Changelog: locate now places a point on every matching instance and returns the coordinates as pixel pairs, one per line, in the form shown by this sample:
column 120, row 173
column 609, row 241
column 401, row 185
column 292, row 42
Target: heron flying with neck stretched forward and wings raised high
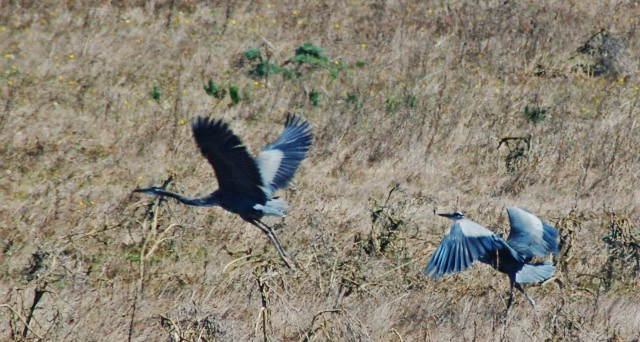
column 246, row 185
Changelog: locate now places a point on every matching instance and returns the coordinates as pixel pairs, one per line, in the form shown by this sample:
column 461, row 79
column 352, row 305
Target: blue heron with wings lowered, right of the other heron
column 468, row 241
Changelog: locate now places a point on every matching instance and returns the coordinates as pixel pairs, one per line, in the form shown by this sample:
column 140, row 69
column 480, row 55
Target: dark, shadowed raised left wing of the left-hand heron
column 235, row 169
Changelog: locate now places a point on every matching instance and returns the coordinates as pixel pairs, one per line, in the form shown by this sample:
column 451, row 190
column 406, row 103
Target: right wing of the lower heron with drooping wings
column 531, row 236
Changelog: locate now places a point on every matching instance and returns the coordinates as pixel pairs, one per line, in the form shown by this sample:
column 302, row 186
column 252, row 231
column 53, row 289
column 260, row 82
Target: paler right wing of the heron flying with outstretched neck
column 279, row 160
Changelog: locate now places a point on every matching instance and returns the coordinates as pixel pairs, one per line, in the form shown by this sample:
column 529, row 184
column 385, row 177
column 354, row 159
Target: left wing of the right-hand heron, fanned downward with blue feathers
column 466, row 243
